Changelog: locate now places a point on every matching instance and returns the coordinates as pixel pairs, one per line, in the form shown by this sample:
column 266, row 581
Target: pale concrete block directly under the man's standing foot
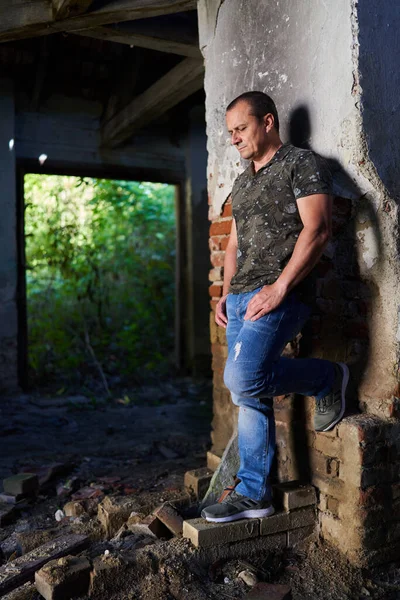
column 202, row 533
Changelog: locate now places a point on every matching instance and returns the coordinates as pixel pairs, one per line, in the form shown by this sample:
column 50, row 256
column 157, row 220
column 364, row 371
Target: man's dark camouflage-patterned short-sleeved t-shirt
column 267, row 218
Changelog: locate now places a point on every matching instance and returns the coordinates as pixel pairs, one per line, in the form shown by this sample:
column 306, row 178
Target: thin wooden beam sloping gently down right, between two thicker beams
column 112, row 34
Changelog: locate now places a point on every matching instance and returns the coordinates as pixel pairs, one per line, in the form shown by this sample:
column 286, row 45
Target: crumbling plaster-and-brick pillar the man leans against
column 336, row 88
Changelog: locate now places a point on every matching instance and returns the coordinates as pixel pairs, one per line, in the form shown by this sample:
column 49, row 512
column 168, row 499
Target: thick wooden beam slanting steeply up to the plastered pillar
column 179, row 83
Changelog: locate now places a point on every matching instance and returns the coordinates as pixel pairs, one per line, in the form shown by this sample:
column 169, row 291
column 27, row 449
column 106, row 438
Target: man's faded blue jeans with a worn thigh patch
column 255, row 371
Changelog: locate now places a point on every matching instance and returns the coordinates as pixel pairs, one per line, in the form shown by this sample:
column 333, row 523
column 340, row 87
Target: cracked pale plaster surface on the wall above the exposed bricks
column 329, row 59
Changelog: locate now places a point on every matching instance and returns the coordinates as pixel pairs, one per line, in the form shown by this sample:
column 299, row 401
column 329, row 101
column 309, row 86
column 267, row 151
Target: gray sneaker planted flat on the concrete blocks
column 234, row 507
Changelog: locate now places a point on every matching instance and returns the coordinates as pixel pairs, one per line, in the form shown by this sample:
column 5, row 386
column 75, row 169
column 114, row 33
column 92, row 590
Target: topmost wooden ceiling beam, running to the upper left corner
column 20, row 19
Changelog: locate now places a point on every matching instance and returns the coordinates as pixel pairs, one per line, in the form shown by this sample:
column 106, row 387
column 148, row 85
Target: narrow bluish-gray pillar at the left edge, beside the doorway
column 8, row 242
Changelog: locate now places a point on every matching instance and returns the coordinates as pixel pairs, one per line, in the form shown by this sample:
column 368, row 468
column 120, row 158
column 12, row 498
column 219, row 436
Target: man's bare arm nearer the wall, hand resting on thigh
column 316, row 215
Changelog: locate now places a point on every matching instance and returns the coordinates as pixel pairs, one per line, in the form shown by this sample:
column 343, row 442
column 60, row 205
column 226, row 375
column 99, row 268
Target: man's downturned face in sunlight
column 248, row 134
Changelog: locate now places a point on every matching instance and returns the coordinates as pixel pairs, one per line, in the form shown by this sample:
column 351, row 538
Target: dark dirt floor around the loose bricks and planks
column 138, row 447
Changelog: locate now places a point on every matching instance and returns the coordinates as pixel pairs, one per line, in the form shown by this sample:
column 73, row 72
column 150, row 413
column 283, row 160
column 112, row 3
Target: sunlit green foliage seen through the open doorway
column 100, row 276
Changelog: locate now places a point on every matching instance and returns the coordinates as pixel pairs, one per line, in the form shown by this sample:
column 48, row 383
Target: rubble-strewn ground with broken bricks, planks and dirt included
column 114, row 474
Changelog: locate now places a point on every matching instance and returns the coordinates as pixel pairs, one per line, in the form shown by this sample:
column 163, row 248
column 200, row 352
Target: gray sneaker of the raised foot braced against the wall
column 330, row 409
